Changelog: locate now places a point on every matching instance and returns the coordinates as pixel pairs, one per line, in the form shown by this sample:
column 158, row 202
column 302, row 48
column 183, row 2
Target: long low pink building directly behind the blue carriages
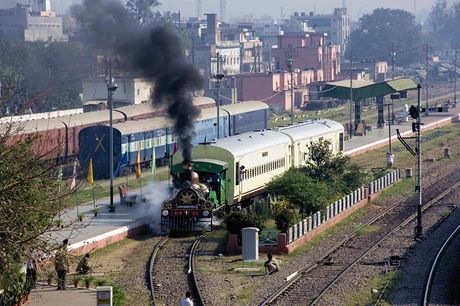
column 274, row 88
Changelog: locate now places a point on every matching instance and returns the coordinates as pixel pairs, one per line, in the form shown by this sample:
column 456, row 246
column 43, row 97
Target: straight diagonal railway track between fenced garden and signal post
column 311, row 282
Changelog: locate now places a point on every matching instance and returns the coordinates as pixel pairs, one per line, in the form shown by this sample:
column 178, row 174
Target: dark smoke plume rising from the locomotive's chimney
column 155, row 53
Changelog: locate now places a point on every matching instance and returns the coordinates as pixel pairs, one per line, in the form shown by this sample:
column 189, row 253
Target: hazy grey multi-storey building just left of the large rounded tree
column 336, row 26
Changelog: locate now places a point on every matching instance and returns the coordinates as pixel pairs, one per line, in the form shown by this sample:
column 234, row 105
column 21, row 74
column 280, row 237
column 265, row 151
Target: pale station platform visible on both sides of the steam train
column 108, row 227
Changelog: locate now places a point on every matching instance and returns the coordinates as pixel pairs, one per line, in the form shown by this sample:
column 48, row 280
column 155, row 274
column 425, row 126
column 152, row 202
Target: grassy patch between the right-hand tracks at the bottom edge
column 365, row 295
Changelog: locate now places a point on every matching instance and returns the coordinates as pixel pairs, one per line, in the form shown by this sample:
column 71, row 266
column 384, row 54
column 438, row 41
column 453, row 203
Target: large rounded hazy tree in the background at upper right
column 384, row 29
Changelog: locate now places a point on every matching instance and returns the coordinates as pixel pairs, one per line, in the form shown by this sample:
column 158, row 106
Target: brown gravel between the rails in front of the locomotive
column 170, row 271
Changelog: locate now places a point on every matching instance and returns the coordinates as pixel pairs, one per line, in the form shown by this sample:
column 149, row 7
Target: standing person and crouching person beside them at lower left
column 61, row 265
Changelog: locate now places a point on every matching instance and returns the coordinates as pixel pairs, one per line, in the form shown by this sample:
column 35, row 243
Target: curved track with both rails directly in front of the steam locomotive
column 171, row 270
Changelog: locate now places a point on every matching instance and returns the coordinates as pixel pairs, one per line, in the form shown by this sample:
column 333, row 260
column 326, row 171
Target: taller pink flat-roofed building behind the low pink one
column 309, row 52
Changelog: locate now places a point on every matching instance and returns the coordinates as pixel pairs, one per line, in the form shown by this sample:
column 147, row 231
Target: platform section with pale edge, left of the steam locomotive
column 94, row 232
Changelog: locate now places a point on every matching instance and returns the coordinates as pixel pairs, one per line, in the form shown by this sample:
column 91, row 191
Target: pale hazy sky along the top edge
column 257, row 8
